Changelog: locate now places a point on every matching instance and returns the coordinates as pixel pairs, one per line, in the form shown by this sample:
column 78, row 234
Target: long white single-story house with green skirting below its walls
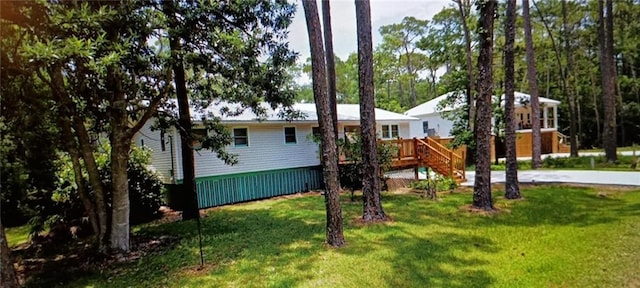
column 275, row 156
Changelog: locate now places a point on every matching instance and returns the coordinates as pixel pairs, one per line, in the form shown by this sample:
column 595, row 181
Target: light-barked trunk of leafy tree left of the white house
column 120, row 145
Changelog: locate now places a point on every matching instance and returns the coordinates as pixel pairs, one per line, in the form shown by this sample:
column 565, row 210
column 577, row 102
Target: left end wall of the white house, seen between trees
column 160, row 160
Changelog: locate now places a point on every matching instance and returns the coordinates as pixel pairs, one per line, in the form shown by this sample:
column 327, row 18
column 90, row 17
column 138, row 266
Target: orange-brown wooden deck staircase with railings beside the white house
column 427, row 152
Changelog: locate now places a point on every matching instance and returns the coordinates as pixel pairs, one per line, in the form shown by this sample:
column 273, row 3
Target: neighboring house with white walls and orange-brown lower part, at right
column 434, row 124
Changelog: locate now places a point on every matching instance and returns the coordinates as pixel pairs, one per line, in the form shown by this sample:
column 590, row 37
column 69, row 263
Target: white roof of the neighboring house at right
column 432, row 106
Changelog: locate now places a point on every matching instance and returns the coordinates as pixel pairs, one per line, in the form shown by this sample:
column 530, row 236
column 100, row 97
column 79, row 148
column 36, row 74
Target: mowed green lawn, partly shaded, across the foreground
column 557, row 237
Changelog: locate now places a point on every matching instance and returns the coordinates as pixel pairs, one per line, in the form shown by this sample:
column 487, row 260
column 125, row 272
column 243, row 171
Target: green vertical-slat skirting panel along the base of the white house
column 228, row 189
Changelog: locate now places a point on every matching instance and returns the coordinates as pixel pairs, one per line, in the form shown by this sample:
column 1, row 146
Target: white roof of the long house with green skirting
column 346, row 112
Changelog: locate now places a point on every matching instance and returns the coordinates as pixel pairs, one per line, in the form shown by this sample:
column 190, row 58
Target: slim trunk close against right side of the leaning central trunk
column 331, row 63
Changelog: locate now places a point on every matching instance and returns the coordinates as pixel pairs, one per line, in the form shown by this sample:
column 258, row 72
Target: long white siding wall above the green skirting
column 266, row 151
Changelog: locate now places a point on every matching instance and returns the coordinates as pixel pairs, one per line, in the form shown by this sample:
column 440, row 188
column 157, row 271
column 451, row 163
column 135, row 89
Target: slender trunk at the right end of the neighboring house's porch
column 573, row 113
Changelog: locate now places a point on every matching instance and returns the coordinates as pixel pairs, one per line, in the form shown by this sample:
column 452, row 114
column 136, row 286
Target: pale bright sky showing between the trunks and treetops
column 383, row 12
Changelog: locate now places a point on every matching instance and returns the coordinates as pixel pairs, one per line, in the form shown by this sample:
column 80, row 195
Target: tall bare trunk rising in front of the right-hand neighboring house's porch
column 536, row 160
